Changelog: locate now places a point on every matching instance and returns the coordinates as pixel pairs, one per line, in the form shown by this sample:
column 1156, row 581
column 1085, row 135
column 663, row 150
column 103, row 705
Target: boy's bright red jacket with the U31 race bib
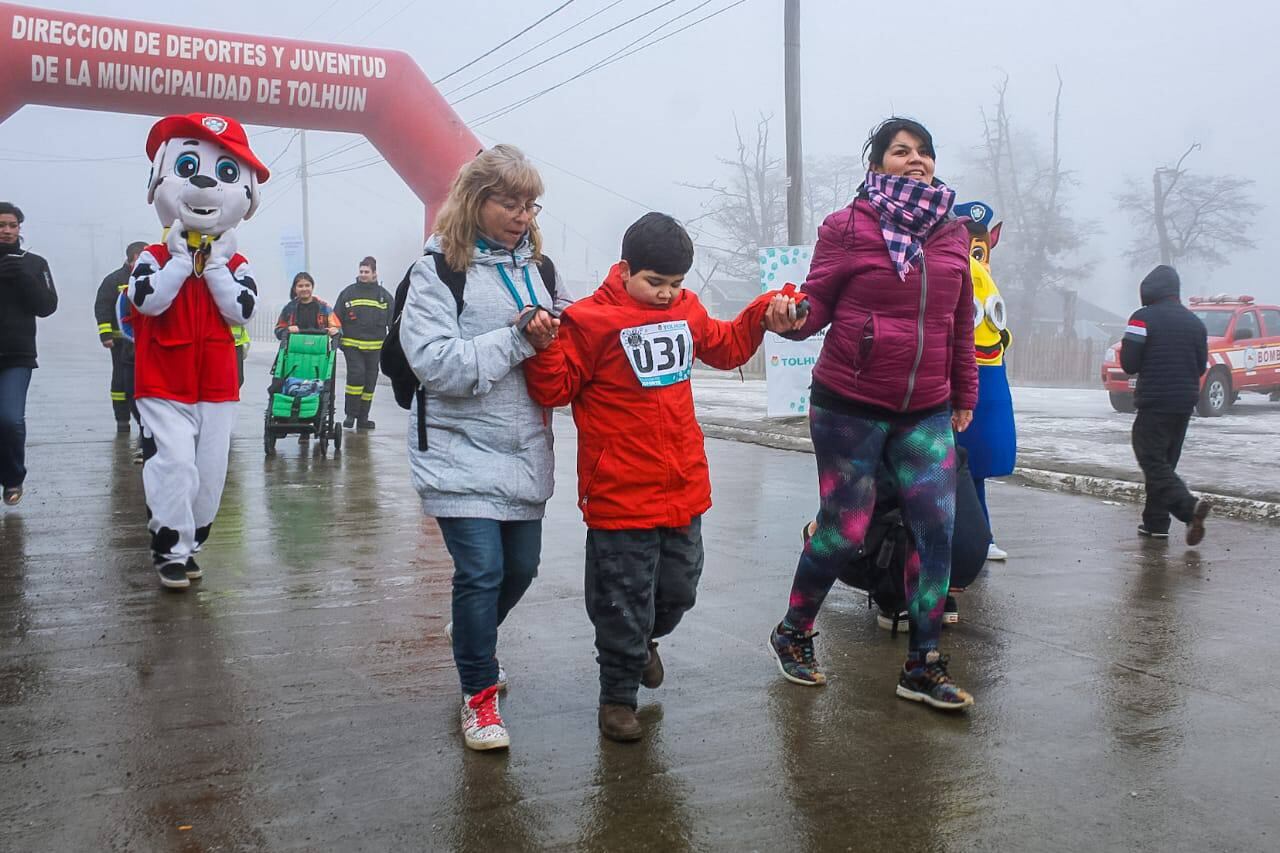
column 624, row 366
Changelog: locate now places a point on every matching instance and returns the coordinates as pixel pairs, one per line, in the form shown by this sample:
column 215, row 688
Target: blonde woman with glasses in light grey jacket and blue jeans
column 488, row 468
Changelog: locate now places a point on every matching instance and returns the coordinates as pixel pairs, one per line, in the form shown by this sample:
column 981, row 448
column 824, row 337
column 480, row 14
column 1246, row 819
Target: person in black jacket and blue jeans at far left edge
column 26, row 293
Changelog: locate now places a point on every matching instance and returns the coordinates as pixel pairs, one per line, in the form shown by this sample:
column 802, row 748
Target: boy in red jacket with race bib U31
column 623, row 358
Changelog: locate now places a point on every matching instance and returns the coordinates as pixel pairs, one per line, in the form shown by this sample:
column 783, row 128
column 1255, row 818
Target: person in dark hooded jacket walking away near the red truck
column 1167, row 346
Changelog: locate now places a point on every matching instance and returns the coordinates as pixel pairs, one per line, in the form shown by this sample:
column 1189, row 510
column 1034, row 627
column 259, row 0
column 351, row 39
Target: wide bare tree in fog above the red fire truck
column 1190, row 218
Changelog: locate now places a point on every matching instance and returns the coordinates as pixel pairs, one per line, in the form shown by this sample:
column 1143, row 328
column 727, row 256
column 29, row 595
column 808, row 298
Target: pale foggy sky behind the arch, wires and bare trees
column 1142, row 83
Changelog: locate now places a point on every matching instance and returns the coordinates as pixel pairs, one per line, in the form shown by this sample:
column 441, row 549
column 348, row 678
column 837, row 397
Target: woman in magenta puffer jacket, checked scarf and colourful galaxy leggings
column 897, row 375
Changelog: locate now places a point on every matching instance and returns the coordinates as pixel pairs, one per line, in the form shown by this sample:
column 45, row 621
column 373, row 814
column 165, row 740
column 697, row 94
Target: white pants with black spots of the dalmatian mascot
column 188, row 448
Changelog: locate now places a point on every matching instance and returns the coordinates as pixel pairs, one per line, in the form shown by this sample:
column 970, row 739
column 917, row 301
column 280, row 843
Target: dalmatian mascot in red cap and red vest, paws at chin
column 185, row 294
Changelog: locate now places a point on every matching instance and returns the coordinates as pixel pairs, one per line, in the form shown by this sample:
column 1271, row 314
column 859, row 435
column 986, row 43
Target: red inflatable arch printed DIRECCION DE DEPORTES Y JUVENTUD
column 88, row 62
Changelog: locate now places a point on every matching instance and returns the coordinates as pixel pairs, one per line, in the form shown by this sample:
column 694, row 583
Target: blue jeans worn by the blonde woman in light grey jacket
column 493, row 565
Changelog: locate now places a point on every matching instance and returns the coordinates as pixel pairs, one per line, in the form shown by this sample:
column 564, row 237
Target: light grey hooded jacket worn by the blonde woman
column 490, row 446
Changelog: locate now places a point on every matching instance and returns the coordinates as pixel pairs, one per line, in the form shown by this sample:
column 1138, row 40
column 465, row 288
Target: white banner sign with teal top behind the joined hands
column 788, row 364
